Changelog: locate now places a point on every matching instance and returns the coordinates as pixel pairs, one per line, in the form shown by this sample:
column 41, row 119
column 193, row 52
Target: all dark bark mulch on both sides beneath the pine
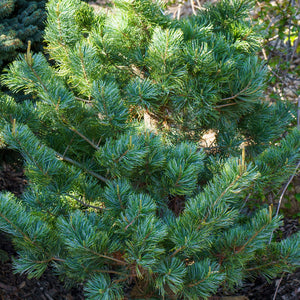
column 49, row 287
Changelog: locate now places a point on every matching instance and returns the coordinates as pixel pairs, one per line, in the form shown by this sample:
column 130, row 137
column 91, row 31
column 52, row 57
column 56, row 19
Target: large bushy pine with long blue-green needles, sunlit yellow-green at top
column 136, row 210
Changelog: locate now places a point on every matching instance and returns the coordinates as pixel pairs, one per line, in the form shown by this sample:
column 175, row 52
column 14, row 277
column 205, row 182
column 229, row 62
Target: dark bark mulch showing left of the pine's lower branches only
column 16, row 286
